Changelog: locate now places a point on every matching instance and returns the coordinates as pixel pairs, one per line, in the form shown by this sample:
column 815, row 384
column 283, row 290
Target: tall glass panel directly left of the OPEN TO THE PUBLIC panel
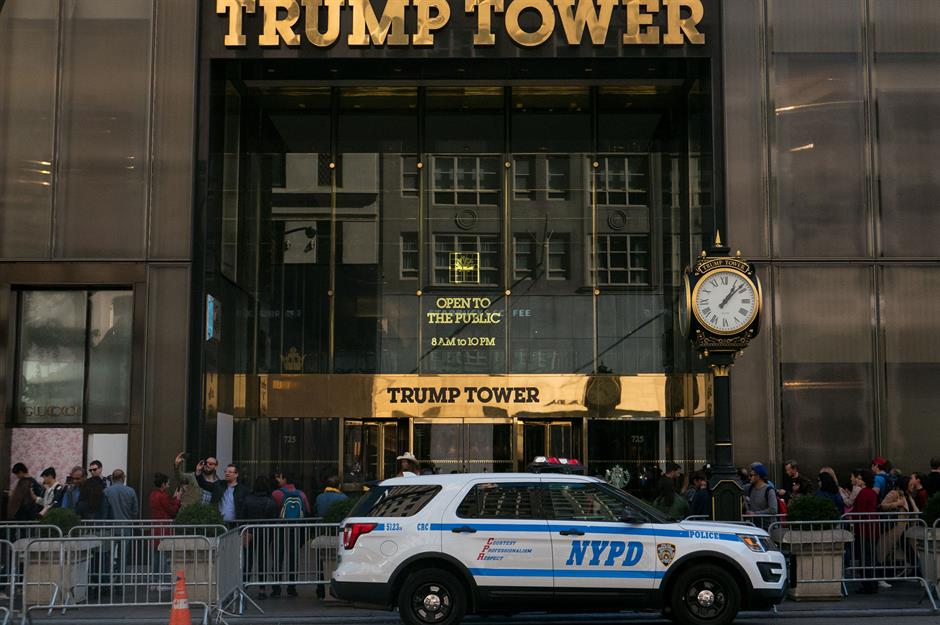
column 377, row 231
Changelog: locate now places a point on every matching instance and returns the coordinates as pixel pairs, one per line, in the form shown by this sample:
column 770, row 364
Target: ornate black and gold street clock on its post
column 720, row 314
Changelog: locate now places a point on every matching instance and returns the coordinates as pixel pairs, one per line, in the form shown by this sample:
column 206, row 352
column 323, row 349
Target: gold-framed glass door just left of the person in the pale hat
column 369, row 451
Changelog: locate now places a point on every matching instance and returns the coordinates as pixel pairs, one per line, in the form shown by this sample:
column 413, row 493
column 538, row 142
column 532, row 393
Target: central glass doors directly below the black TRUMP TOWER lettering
column 464, row 445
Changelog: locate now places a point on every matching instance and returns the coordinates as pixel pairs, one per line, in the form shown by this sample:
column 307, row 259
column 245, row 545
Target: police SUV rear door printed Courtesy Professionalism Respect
column 496, row 530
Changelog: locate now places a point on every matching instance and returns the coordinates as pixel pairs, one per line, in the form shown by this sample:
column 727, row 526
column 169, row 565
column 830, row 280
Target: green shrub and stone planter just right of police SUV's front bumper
column 816, row 549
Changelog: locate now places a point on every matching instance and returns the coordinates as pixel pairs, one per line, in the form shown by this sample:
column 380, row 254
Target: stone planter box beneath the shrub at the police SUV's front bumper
column 815, row 555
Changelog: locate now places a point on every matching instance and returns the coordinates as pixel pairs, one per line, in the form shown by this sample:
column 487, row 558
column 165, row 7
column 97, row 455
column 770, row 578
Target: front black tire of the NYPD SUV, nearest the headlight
column 705, row 595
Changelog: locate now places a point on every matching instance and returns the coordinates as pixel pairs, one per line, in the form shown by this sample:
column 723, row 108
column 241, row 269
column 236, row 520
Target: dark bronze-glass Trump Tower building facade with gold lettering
column 313, row 235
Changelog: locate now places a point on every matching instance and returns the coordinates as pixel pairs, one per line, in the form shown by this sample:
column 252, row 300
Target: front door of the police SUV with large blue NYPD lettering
column 596, row 554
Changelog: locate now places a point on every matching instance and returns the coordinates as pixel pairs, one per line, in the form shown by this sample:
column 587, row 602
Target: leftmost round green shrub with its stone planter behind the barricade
column 49, row 563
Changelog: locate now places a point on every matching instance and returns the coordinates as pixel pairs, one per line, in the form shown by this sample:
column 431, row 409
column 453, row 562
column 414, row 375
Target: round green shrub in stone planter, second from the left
column 194, row 554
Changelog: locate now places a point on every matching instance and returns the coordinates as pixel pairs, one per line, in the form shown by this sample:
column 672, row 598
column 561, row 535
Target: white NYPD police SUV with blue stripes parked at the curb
column 440, row 546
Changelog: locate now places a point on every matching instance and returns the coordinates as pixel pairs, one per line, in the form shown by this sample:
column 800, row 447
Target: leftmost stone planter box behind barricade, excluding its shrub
column 47, row 564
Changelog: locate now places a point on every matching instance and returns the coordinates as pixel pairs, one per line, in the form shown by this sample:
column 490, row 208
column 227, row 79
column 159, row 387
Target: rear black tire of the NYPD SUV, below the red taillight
column 432, row 597
